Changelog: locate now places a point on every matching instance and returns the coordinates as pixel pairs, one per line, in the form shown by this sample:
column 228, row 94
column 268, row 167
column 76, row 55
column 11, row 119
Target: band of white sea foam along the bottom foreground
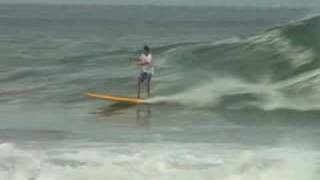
column 156, row 161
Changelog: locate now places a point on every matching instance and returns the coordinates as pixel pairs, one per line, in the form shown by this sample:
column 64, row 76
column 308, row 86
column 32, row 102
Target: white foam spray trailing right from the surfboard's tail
column 269, row 95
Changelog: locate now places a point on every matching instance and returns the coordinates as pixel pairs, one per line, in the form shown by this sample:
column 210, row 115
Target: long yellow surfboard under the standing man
column 128, row 100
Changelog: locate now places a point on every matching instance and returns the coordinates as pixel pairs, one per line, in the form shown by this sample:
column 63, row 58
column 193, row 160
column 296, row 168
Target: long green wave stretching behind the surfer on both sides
column 274, row 69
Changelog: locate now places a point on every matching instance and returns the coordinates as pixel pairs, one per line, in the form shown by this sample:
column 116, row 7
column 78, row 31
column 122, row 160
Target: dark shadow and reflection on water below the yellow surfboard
column 122, row 113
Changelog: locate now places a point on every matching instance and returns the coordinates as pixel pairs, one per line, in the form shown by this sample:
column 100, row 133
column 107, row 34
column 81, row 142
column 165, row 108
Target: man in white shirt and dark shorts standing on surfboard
column 145, row 63
